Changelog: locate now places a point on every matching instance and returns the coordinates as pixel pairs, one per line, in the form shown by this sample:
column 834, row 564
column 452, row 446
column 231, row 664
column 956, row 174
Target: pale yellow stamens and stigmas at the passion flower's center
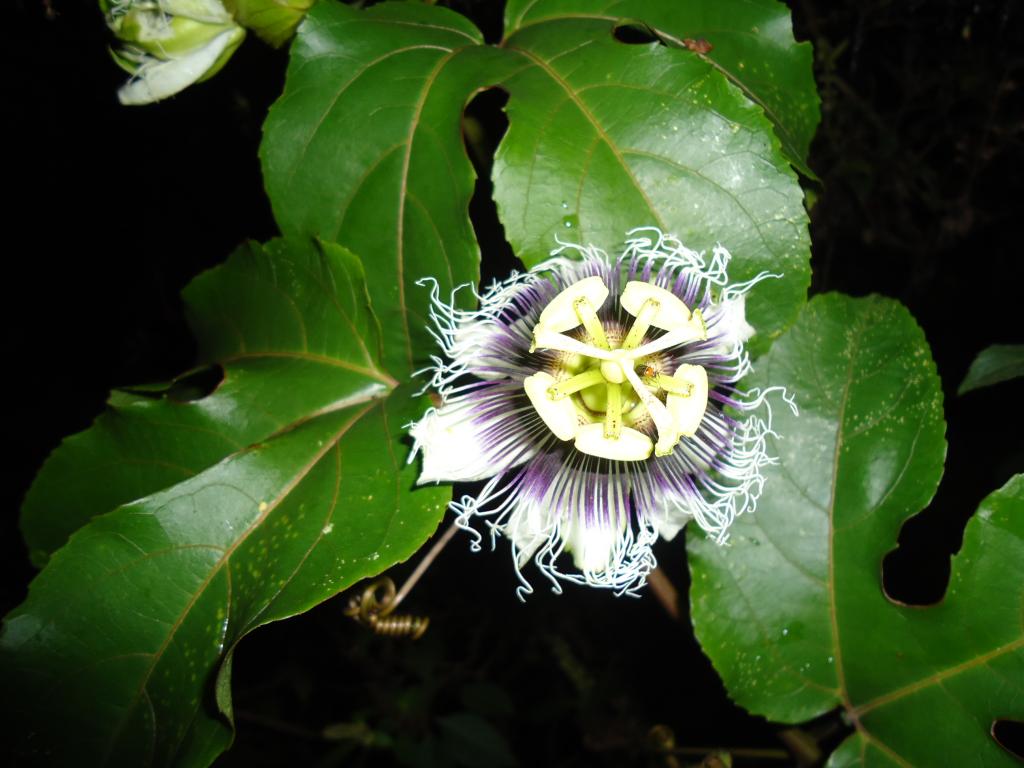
column 607, row 383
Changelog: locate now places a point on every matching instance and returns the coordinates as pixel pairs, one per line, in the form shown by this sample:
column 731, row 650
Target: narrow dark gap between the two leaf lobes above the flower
column 484, row 125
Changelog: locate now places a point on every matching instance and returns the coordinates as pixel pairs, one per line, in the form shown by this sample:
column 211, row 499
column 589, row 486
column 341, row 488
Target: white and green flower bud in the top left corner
column 167, row 46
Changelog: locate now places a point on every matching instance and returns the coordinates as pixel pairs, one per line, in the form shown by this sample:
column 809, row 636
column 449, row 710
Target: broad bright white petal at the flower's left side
column 452, row 449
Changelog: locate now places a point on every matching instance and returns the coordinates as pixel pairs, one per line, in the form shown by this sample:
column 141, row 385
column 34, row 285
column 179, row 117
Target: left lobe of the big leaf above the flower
column 365, row 148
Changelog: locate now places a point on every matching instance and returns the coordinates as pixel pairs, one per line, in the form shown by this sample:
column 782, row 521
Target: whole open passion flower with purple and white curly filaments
column 602, row 398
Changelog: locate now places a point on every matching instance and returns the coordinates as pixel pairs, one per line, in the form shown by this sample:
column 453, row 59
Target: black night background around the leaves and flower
column 921, row 156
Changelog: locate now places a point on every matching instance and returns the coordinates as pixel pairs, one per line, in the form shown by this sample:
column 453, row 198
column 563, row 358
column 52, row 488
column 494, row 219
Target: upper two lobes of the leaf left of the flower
column 290, row 327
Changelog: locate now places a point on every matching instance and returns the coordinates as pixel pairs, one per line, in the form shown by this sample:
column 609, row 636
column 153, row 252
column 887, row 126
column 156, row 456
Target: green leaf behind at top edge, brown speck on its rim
column 751, row 41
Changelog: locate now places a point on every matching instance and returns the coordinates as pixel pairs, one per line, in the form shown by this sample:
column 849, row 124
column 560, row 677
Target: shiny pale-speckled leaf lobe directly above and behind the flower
column 605, row 138
